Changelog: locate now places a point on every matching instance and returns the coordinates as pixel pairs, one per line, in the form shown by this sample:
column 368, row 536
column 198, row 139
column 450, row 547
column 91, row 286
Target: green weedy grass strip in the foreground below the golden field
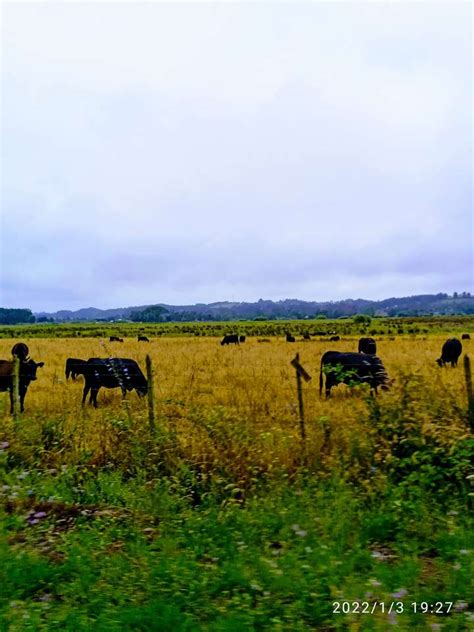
column 95, row 551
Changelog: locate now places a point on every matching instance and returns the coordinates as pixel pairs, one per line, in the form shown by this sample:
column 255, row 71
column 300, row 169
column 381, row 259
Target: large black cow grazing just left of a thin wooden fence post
column 112, row 373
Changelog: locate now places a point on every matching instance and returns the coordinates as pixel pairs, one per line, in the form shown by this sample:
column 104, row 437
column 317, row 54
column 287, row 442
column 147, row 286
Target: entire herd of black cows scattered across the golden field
column 364, row 367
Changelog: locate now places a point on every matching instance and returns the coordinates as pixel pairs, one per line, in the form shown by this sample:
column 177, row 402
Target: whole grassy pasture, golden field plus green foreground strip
column 222, row 520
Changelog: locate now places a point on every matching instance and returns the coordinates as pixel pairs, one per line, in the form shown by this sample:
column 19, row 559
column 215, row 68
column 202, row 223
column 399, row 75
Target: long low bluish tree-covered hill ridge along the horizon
column 420, row 305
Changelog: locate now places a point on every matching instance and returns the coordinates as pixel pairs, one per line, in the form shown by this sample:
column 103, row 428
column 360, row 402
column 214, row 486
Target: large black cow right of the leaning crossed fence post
column 350, row 368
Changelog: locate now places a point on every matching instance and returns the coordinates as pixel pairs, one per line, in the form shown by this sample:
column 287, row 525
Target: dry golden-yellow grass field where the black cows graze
column 232, row 407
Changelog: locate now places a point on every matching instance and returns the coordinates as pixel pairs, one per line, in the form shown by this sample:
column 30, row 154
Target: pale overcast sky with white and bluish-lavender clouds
column 182, row 153
